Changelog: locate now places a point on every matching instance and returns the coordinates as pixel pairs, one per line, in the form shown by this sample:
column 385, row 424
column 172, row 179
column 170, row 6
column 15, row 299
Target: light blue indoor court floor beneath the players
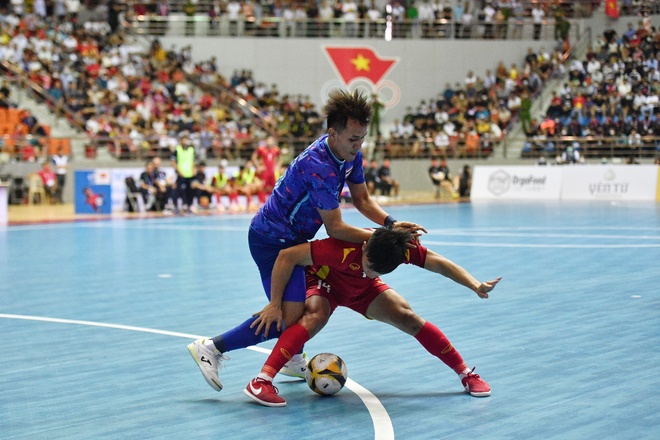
column 95, row 318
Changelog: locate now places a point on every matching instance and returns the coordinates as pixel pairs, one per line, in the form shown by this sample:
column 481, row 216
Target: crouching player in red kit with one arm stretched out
column 341, row 273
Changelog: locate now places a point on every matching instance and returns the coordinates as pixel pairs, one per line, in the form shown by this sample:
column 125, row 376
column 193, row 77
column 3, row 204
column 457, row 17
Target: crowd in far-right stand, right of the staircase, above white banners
column 611, row 96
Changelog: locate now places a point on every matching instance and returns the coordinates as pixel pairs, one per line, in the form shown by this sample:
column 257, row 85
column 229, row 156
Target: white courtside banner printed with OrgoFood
column 516, row 183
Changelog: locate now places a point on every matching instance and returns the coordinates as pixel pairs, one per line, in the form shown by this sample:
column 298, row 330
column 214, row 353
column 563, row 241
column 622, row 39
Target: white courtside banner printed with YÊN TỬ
column 610, row 182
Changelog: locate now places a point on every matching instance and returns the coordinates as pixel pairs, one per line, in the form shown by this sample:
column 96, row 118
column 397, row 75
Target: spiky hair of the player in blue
column 342, row 106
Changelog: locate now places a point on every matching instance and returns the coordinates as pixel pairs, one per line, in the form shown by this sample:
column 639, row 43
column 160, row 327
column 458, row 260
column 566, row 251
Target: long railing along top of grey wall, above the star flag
column 201, row 24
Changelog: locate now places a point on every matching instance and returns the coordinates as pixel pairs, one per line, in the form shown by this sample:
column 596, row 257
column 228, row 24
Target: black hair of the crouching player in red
column 387, row 248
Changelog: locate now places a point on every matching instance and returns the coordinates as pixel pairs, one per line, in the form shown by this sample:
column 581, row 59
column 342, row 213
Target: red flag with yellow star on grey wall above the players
column 359, row 62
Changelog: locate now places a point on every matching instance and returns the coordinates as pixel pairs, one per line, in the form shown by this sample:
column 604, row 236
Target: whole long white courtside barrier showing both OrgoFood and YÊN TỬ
column 579, row 182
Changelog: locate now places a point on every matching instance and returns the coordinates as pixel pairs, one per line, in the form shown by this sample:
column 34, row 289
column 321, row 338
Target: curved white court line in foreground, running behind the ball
column 383, row 429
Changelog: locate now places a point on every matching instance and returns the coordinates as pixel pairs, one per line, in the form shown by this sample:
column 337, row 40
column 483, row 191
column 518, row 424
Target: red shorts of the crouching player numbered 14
column 359, row 303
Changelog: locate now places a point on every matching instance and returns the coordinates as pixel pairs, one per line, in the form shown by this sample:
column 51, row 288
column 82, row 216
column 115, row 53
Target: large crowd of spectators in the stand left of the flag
column 139, row 104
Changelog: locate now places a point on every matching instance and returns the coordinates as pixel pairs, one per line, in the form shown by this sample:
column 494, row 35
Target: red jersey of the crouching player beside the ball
column 339, row 263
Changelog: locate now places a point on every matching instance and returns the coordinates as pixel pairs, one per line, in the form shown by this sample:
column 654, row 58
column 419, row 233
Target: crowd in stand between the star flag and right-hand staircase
column 469, row 118
